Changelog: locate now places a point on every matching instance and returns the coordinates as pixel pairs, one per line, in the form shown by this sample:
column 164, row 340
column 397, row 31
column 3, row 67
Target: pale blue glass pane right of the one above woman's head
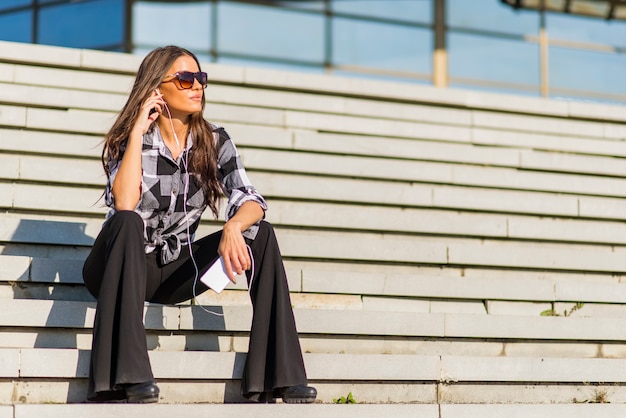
column 270, row 32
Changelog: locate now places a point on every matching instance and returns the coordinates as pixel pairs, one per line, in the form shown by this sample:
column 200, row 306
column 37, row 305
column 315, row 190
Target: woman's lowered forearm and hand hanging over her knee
column 232, row 245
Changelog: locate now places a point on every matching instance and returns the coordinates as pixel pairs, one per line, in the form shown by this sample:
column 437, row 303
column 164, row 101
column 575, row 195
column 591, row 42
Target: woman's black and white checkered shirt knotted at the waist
column 168, row 210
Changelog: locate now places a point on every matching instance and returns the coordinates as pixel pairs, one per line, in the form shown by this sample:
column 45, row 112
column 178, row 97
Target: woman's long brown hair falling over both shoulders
column 203, row 157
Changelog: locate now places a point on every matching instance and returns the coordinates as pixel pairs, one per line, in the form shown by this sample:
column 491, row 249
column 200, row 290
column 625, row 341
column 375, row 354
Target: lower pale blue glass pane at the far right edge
column 587, row 70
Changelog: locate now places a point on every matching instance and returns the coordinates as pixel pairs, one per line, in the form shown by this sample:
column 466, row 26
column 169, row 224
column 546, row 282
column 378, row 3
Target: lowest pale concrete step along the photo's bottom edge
column 317, row 410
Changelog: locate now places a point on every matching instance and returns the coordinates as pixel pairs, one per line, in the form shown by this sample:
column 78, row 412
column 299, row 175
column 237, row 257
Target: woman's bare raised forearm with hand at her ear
column 126, row 188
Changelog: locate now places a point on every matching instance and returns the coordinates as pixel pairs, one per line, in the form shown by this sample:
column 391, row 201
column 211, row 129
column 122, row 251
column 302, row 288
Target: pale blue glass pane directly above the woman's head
column 184, row 24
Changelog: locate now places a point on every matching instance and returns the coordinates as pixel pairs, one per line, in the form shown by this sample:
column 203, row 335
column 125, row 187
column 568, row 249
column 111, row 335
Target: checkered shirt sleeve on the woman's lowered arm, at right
column 236, row 185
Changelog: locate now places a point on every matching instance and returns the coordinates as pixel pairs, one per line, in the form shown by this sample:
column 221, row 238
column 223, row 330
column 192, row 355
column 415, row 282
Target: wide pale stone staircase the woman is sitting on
column 450, row 253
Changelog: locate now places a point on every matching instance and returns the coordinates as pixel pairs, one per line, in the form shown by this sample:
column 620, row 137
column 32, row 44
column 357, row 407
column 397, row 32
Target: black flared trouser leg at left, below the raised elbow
column 115, row 273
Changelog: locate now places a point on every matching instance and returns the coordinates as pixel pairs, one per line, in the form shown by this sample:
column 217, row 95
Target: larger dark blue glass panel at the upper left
column 92, row 24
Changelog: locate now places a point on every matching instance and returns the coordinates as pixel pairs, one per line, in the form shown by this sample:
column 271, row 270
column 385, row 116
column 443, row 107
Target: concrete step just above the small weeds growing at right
column 37, row 274
